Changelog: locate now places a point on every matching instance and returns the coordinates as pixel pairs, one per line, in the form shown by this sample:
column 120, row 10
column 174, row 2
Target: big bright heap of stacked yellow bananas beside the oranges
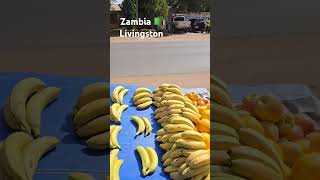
column 186, row 152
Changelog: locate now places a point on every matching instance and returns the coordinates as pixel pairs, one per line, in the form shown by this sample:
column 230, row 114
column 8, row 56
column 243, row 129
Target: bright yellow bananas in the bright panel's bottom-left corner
column 115, row 165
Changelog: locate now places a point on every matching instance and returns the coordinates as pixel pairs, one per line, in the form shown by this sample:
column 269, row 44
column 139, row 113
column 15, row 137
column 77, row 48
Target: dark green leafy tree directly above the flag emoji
column 153, row 8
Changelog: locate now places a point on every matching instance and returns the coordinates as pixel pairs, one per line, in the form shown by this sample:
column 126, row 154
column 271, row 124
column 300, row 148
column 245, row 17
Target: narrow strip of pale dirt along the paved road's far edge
column 173, row 37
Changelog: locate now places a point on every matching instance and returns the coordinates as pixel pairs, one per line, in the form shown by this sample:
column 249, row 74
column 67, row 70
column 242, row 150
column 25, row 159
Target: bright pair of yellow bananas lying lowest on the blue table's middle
column 149, row 159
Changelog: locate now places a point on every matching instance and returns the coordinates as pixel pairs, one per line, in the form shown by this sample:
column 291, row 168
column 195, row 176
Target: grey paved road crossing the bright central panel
column 135, row 59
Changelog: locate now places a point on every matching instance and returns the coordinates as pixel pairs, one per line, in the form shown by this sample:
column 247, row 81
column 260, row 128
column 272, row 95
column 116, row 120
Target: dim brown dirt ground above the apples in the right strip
column 276, row 58
